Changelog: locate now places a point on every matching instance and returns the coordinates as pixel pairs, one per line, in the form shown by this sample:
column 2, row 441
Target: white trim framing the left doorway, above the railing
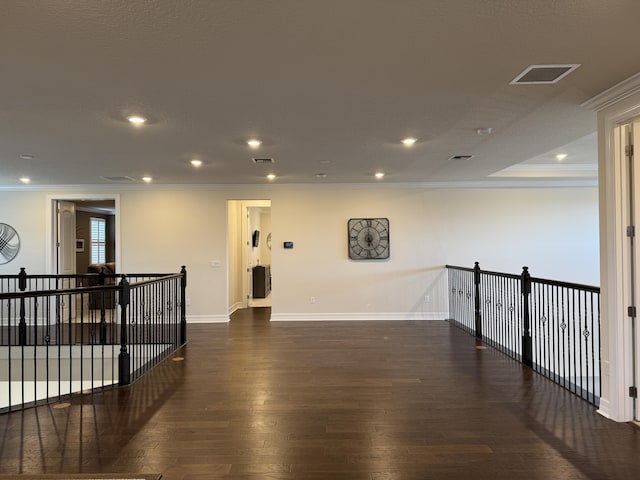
column 50, row 237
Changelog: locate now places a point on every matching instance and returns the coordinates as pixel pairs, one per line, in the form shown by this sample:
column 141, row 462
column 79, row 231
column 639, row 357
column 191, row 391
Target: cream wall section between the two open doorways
column 163, row 229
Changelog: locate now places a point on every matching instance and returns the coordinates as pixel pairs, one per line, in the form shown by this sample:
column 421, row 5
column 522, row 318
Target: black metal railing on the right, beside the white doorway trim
column 550, row 326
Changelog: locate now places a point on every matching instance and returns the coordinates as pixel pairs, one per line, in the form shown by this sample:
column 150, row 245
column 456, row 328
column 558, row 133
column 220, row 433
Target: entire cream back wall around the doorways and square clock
column 553, row 231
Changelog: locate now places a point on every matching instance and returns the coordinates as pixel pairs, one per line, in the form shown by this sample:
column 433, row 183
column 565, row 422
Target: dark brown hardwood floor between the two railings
column 327, row 400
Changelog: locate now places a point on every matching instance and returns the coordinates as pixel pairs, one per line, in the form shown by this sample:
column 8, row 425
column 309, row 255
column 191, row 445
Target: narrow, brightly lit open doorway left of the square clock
column 249, row 254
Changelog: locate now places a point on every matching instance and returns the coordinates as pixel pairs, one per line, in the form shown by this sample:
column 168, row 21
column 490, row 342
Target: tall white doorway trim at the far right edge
column 616, row 107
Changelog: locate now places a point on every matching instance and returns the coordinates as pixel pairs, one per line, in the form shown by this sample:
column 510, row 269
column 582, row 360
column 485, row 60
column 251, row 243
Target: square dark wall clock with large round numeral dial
column 368, row 238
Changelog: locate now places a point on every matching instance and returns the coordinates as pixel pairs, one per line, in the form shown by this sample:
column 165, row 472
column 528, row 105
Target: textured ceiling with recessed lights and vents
column 329, row 86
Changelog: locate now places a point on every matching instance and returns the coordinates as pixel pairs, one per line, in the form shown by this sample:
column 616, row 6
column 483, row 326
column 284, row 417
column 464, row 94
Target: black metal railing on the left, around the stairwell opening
column 59, row 336
